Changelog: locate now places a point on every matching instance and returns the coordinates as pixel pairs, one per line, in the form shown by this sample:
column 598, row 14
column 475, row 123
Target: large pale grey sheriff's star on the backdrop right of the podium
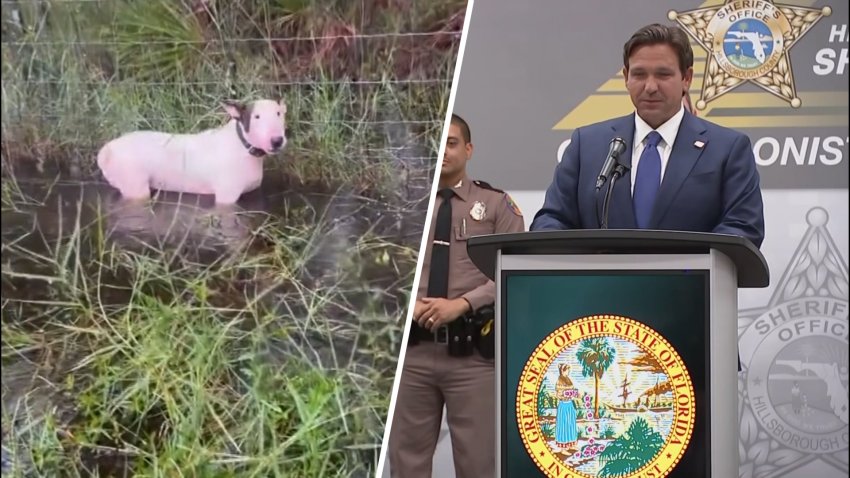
column 792, row 396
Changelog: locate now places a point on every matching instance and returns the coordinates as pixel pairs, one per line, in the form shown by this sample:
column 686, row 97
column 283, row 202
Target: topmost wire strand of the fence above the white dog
column 231, row 40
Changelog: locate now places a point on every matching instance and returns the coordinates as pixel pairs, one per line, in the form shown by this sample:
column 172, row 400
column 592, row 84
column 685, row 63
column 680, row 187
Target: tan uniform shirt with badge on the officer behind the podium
column 476, row 210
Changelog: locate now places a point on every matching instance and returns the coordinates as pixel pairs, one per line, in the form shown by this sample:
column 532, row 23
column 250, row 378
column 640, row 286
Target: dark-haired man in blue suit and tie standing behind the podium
column 696, row 175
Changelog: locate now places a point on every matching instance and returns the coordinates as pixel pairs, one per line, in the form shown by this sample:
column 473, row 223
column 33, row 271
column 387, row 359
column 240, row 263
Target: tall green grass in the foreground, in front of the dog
column 240, row 366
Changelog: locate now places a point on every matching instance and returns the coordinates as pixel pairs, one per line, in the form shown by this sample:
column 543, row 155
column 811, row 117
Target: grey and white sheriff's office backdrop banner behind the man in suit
column 532, row 73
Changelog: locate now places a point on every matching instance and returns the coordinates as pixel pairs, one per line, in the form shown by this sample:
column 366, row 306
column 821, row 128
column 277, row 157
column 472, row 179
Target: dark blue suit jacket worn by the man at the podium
column 713, row 188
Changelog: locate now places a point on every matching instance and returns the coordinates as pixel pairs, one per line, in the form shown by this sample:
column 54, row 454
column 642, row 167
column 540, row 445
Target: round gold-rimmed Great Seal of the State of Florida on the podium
column 605, row 396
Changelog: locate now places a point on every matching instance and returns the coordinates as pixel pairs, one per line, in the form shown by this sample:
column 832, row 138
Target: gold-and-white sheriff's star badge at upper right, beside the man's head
column 748, row 41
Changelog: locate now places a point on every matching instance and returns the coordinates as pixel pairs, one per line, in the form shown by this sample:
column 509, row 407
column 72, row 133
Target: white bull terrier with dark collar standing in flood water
column 225, row 161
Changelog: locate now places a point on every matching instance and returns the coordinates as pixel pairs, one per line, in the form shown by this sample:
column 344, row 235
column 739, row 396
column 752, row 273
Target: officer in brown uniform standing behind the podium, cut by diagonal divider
column 449, row 361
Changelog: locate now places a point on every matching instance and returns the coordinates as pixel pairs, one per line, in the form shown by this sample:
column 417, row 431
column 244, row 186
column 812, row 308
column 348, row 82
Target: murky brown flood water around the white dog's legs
column 353, row 243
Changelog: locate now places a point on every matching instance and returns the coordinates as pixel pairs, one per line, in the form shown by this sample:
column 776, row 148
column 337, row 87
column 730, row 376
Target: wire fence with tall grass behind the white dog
column 358, row 97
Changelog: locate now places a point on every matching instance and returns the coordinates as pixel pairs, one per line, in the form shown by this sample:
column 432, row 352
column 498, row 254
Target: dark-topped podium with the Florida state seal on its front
column 616, row 350
